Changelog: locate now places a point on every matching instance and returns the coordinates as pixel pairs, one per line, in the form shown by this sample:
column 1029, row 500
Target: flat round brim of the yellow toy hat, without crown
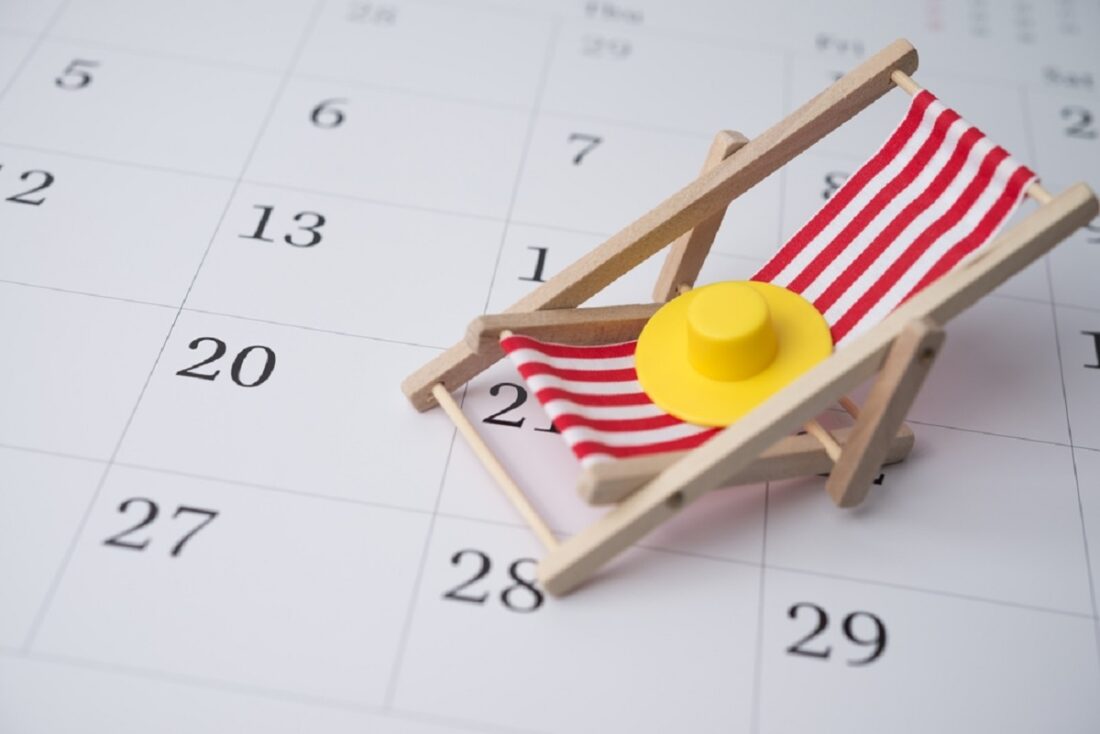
column 669, row 380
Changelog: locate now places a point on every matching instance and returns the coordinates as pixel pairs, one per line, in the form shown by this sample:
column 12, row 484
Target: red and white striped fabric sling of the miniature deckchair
column 936, row 193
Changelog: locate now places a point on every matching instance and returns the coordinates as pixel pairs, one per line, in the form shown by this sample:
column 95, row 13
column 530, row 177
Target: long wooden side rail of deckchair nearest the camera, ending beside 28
column 736, row 447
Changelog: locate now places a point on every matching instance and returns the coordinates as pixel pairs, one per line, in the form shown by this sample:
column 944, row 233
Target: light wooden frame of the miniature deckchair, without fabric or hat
column 901, row 349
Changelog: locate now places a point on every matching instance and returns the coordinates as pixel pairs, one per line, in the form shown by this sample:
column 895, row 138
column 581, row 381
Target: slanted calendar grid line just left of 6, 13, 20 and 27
column 60, row 575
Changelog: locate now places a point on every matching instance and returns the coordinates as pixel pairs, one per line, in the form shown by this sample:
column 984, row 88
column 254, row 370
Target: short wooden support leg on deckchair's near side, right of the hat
column 893, row 395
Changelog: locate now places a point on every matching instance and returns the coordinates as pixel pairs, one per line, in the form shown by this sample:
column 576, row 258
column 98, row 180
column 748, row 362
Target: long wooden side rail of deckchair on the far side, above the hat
column 698, row 202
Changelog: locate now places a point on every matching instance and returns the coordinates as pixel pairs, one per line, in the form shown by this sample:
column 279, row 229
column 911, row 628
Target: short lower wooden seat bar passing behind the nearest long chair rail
column 796, row 456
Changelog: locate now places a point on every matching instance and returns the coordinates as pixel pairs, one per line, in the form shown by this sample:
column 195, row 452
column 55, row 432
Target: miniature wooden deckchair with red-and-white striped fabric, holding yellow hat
column 907, row 244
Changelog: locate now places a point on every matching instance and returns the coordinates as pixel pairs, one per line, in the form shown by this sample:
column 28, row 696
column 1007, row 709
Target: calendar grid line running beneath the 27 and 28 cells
column 260, row 692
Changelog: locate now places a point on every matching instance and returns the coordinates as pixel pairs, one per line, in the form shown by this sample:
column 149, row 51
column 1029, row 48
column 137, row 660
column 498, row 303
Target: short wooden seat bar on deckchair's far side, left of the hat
column 603, row 325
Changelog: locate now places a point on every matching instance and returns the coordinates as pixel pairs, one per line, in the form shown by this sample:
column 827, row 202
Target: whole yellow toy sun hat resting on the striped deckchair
column 714, row 354
